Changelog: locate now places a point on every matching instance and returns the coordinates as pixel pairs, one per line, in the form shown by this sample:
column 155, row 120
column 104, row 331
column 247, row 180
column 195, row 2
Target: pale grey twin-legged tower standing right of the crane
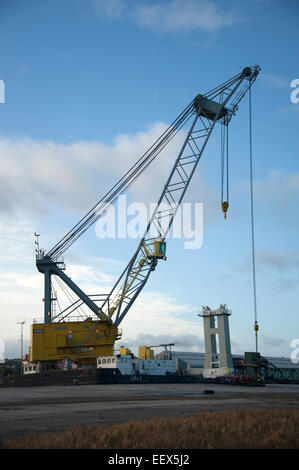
column 217, row 338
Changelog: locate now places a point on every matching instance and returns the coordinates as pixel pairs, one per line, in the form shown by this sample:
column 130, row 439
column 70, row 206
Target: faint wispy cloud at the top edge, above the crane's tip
column 168, row 16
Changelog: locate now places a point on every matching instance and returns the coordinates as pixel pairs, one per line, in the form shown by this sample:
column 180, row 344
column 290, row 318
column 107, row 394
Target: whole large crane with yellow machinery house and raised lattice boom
column 57, row 337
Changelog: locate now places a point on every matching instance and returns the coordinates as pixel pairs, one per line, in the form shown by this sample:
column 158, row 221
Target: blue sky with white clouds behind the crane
column 89, row 85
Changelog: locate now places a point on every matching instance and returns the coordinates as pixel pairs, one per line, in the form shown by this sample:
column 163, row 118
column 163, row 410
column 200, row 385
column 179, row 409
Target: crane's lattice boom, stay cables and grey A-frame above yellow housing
column 218, row 105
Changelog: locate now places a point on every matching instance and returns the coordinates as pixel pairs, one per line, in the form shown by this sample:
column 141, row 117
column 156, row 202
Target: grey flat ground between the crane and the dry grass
column 56, row 408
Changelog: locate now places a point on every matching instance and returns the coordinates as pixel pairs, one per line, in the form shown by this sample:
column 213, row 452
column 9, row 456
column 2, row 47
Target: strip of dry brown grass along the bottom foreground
column 241, row 429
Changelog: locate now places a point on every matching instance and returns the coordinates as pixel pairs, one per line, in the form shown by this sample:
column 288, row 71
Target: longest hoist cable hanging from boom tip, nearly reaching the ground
column 252, row 221
